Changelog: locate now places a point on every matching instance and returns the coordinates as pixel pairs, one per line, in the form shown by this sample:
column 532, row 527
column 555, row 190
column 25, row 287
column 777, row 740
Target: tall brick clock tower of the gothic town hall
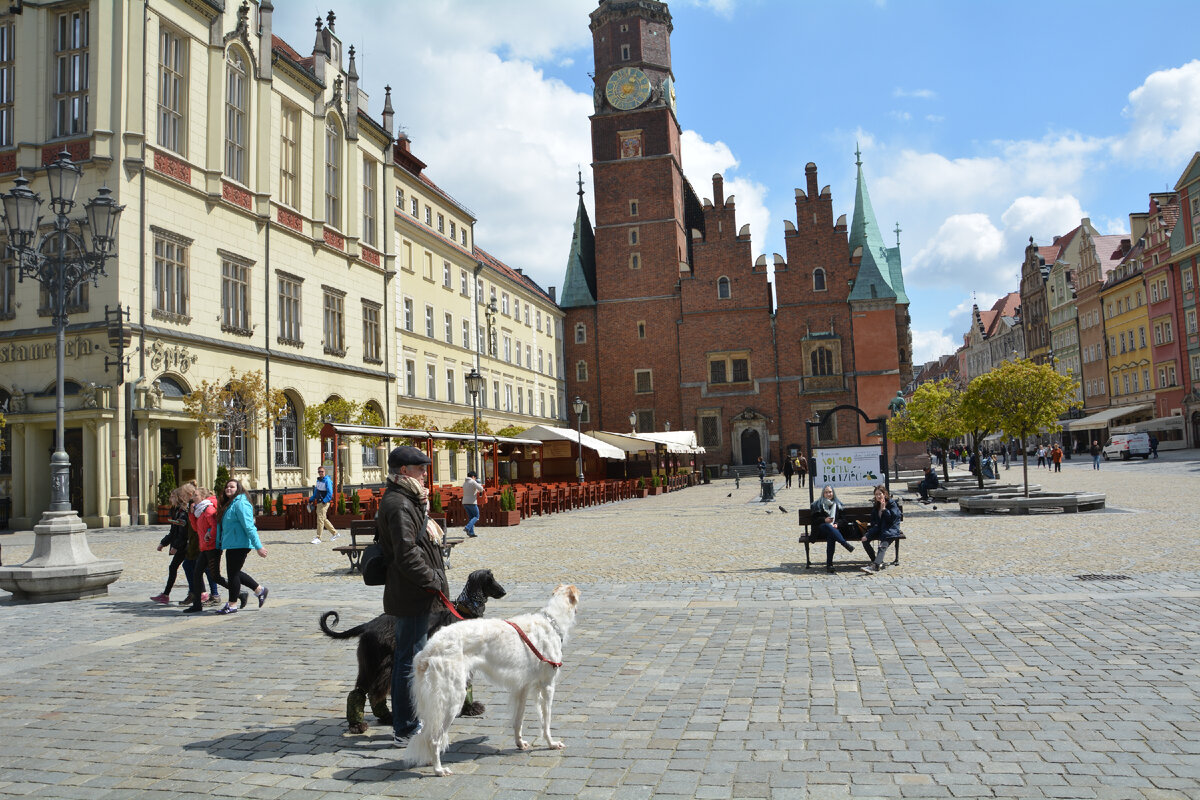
column 641, row 240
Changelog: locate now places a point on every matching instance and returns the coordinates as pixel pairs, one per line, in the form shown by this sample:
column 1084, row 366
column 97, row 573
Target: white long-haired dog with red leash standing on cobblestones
column 495, row 649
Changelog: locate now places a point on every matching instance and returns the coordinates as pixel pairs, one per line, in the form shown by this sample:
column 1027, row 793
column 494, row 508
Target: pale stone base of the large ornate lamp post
column 63, row 566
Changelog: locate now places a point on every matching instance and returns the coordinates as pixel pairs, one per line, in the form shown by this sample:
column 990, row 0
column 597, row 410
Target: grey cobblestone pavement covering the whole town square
column 707, row 663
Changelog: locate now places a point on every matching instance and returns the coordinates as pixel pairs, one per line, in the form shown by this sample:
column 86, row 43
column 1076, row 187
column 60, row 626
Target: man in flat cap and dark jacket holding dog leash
column 416, row 576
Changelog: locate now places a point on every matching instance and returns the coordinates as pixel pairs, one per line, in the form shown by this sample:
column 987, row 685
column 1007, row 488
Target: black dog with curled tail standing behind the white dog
column 377, row 643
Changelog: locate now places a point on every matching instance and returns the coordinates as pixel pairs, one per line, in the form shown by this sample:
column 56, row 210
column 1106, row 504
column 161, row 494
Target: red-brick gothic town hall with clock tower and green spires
column 669, row 316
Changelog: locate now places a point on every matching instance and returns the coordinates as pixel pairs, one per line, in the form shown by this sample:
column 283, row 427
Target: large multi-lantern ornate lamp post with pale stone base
column 63, row 567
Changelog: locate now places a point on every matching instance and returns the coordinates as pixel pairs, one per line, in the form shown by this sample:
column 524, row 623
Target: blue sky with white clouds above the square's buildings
column 981, row 123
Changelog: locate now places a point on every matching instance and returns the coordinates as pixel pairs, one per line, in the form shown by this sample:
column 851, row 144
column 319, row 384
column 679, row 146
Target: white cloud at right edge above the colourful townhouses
column 1165, row 115
